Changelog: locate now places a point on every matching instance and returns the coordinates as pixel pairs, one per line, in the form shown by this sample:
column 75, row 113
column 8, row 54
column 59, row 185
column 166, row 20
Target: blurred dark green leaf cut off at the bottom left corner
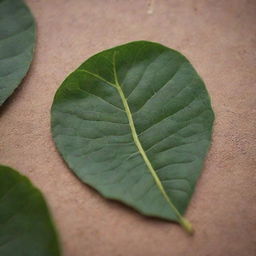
column 26, row 228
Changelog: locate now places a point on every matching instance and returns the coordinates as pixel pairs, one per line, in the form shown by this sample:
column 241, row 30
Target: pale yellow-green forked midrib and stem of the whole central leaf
column 185, row 223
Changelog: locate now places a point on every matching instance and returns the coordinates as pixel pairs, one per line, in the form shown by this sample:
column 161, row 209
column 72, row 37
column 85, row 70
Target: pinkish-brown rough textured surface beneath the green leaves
column 219, row 38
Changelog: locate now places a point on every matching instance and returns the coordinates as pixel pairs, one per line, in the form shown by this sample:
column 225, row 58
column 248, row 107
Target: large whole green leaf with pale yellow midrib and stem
column 135, row 122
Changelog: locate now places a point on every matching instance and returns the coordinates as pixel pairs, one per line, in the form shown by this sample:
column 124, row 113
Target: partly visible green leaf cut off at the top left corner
column 17, row 42
